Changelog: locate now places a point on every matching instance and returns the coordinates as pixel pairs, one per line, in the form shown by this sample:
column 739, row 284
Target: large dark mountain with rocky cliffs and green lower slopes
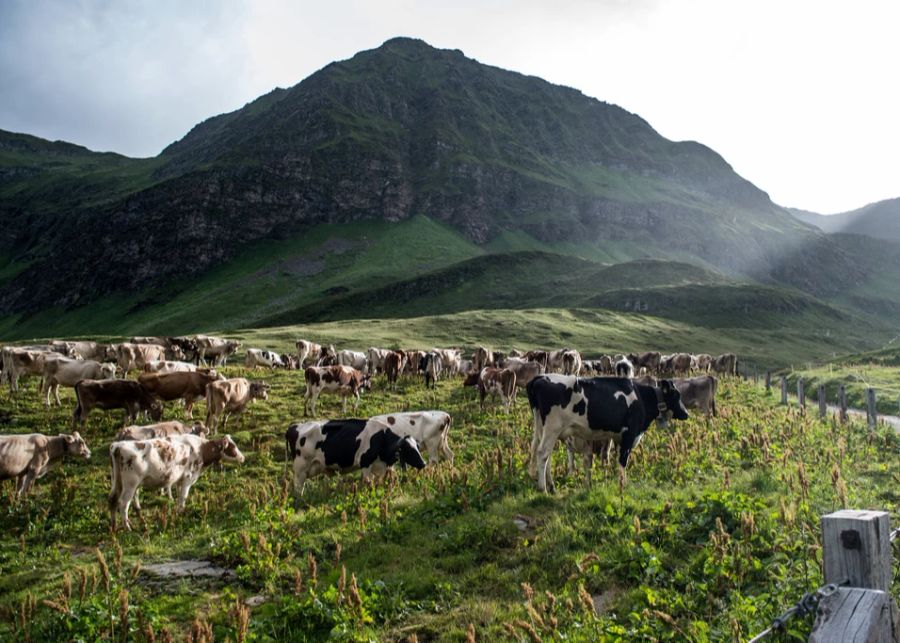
column 402, row 162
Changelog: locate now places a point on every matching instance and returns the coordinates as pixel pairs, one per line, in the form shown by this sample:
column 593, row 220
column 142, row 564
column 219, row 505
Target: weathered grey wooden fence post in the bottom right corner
column 856, row 552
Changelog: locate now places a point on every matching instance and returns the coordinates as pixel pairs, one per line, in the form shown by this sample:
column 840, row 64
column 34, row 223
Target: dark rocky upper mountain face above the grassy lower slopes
column 402, row 130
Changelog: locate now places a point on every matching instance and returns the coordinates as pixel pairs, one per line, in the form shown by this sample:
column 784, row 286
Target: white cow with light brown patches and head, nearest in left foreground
column 161, row 464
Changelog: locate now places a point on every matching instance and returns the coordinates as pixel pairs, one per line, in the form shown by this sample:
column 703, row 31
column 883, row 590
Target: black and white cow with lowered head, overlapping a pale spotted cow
column 348, row 445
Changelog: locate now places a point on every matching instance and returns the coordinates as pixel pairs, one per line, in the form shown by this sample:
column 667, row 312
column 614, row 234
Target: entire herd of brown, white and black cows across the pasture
column 588, row 404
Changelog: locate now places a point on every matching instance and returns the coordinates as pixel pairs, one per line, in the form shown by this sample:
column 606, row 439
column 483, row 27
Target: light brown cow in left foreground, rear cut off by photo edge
column 30, row 456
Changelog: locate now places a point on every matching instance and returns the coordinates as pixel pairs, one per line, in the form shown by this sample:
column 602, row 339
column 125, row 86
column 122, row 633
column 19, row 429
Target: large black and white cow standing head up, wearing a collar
column 594, row 409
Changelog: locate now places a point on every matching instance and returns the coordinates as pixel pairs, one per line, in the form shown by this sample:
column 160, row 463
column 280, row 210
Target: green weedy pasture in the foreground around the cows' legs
column 716, row 534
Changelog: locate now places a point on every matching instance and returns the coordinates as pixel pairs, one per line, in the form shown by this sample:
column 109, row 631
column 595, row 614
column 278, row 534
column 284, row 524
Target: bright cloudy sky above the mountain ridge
column 800, row 97
